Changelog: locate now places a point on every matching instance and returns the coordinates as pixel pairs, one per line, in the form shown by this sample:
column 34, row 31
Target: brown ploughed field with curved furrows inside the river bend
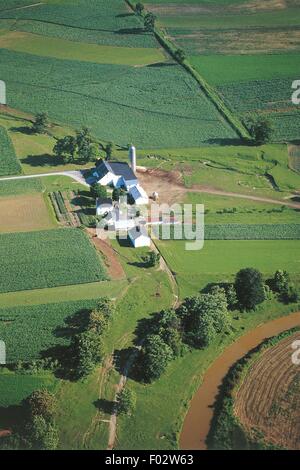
column 268, row 400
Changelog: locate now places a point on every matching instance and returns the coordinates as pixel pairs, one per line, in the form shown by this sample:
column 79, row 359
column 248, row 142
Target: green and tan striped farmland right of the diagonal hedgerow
column 248, row 50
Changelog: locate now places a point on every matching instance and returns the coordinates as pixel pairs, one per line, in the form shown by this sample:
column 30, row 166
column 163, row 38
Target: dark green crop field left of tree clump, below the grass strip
column 29, row 330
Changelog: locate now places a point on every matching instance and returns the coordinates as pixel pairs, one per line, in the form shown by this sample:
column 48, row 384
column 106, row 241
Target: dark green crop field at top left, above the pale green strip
column 94, row 21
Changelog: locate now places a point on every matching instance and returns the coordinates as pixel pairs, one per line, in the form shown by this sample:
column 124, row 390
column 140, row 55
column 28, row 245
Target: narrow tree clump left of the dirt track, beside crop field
column 87, row 346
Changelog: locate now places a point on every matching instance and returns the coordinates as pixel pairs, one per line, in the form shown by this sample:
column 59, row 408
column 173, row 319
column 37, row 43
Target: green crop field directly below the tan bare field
column 51, row 258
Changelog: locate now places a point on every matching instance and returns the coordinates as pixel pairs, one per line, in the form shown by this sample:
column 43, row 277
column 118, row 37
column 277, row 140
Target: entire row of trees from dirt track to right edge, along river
column 199, row 320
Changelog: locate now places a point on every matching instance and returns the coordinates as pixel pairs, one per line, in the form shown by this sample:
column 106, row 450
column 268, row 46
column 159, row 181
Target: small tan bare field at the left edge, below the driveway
column 24, row 213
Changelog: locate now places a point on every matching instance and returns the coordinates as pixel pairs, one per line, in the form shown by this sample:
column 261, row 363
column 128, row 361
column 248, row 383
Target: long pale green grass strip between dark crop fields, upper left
column 68, row 50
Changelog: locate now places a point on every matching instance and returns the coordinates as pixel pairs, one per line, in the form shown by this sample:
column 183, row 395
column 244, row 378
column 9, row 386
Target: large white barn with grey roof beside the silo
column 117, row 174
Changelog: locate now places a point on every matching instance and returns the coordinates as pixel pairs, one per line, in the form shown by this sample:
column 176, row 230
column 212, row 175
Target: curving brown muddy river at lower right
column 198, row 419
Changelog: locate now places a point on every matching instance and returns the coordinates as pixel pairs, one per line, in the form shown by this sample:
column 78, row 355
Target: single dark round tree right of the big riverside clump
column 249, row 286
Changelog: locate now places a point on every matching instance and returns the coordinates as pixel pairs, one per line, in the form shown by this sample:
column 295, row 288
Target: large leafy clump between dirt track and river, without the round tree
column 195, row 323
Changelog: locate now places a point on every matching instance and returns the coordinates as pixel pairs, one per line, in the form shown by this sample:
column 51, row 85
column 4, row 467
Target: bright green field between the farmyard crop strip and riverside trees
column 220, row 260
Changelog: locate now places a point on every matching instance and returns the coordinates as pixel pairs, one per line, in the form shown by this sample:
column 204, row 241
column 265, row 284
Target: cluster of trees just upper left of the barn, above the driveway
column 80, row 147
